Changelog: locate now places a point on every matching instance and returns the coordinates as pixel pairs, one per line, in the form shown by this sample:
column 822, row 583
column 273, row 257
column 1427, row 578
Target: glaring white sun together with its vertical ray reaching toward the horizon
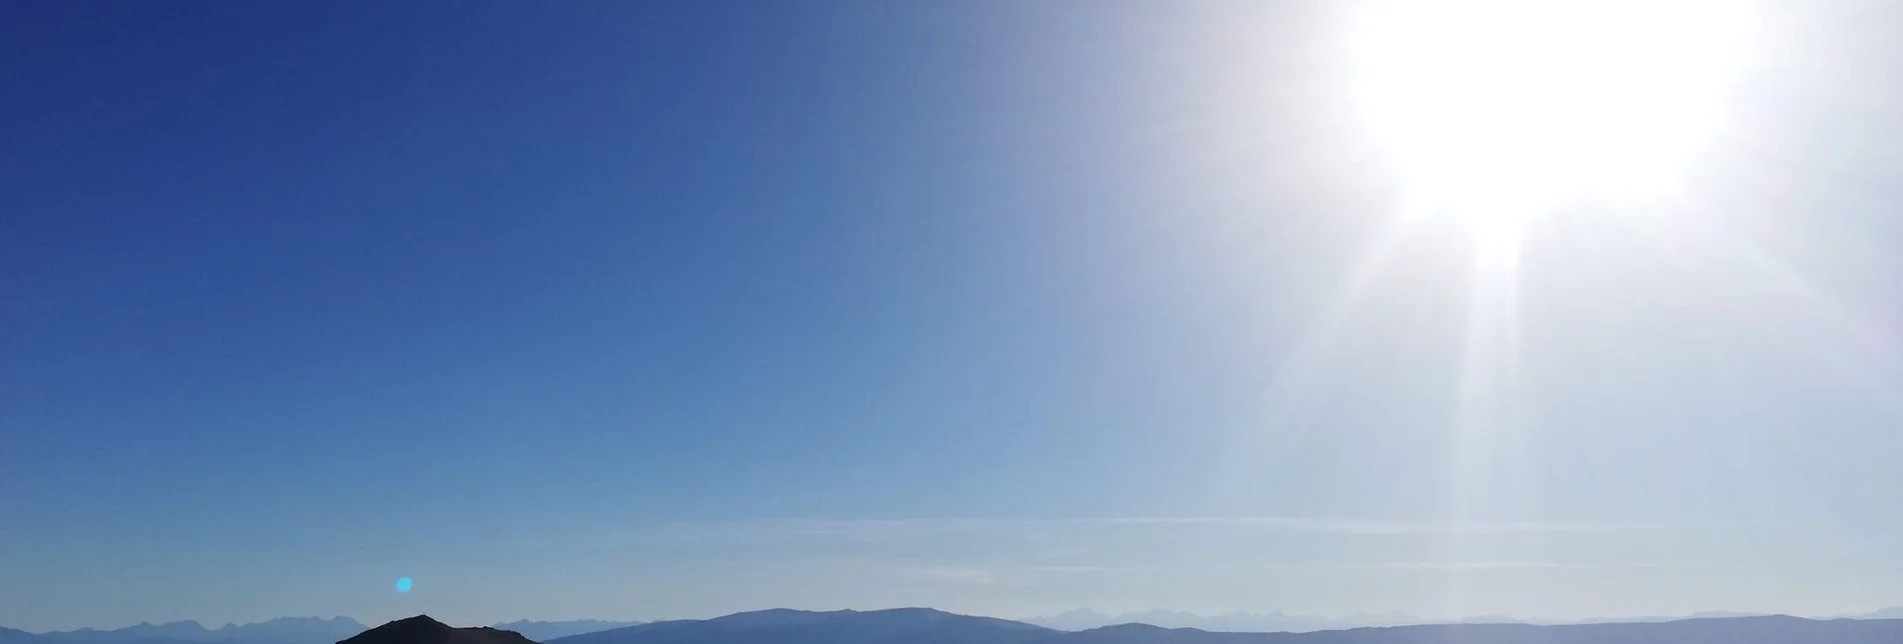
column 1501, row 113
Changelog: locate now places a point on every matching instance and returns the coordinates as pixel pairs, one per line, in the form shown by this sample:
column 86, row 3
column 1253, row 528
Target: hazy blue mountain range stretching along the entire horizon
column 924, row 626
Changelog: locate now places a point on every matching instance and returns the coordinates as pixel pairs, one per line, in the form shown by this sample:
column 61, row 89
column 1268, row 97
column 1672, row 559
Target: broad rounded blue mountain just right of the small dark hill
column 901, row 626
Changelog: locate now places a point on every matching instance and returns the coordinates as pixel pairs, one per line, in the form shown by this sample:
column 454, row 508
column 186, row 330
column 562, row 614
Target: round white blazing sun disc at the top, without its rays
column 1497, row 110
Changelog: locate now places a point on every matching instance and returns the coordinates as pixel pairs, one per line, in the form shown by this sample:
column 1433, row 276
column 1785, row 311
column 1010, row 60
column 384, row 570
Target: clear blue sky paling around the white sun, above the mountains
column 665, row 310
